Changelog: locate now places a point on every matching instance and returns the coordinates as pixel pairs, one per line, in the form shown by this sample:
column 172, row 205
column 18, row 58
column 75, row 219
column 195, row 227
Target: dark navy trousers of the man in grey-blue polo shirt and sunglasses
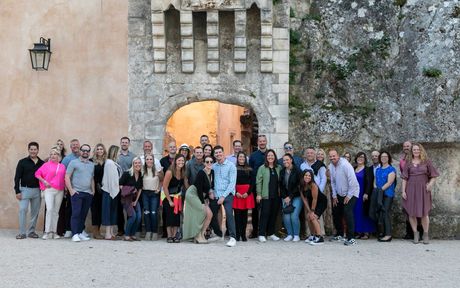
column 81, row 202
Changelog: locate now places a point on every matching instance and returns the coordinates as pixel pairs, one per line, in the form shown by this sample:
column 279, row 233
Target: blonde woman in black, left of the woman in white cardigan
column 99, row 158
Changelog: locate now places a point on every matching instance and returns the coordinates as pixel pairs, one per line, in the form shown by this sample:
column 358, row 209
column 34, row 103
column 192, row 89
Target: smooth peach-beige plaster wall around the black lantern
column 84, row 93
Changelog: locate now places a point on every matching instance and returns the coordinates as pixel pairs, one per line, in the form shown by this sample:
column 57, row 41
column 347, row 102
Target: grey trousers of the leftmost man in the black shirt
column 32, row 196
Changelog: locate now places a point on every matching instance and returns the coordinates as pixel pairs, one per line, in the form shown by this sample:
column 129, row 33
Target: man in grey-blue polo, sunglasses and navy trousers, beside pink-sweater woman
column 80, row 183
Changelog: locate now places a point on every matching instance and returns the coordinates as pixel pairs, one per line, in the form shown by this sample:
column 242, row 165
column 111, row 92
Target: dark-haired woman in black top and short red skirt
column 243, row 199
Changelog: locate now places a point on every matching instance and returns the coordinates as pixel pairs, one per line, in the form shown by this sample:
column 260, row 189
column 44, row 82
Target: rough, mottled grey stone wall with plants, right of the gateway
column 371, row 74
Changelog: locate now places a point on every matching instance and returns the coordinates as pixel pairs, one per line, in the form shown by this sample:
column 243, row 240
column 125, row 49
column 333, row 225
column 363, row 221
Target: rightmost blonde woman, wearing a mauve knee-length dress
column 419, row 176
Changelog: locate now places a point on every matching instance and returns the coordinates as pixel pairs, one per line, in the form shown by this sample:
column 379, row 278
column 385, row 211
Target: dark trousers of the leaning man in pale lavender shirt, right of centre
column 341, row 210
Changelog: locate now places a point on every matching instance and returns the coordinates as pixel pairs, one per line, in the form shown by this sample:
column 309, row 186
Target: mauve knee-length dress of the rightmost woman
column 418, row 201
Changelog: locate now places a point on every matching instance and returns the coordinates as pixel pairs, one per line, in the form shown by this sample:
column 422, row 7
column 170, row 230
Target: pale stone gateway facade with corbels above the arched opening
column 184, row 51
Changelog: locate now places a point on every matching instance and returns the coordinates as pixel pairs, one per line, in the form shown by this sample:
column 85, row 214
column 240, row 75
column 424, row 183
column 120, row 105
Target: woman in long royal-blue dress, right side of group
column 365, row 176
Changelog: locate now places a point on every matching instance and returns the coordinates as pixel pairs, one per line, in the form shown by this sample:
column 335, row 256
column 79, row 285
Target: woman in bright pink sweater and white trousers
column 51, row 176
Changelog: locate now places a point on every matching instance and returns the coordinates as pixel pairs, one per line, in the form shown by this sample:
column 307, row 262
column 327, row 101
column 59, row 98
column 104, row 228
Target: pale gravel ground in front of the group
column 98, row 263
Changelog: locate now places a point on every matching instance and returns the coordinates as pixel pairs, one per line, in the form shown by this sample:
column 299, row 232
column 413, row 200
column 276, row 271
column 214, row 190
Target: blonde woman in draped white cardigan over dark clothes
column 110, row 189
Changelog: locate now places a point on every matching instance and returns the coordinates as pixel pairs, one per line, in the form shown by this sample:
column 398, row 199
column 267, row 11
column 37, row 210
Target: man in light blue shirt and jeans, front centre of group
column 224, row 190
